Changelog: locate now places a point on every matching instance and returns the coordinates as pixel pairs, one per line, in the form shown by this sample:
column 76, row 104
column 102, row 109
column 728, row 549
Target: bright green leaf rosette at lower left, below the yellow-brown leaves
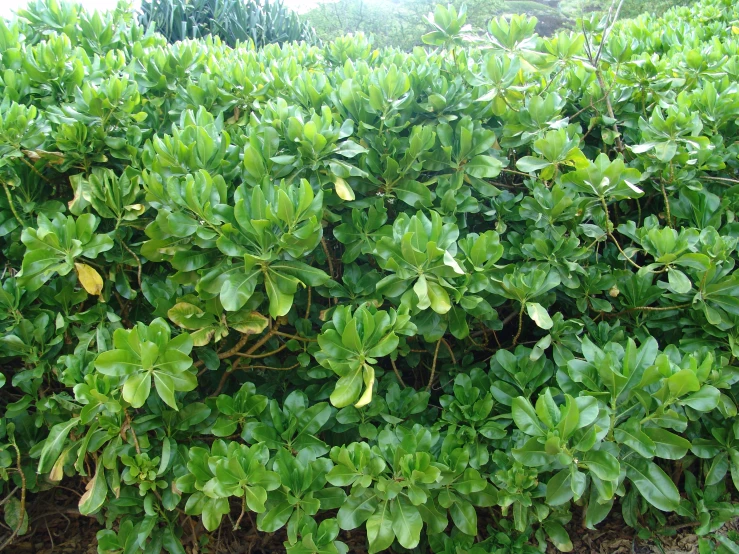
column 149, row 352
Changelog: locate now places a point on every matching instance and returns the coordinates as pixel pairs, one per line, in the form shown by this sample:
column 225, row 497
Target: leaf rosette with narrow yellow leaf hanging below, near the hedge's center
column 352, row 342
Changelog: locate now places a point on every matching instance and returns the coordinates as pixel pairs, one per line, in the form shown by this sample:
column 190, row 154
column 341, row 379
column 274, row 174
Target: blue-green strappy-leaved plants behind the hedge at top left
column 233, row 21
